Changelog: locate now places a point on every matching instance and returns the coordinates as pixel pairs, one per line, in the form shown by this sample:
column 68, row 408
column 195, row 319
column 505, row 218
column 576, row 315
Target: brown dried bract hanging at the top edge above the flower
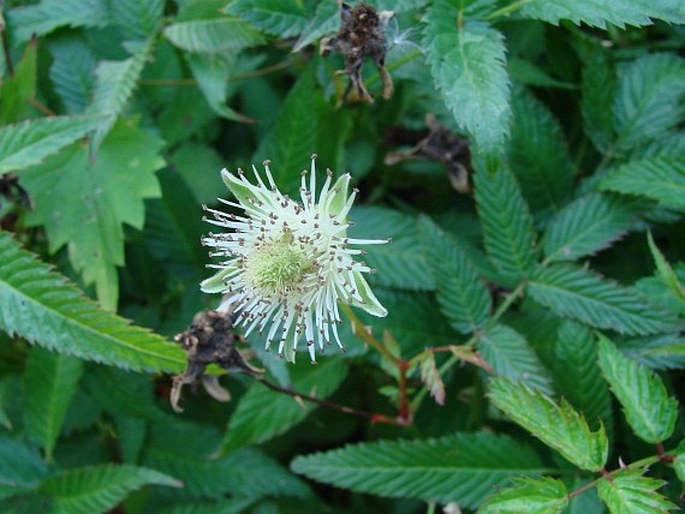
column 361, row 34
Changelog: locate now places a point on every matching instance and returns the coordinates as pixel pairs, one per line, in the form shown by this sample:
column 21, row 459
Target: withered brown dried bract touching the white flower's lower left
column 210, row 339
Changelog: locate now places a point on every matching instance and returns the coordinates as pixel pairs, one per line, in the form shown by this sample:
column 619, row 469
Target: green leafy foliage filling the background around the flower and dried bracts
column 534, row 344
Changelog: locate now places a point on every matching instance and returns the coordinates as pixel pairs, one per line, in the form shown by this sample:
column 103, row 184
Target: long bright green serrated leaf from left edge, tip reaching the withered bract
column 40, row 306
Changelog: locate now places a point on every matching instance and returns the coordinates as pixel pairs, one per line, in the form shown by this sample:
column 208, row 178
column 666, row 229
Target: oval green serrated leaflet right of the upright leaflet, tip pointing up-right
column 587, row 225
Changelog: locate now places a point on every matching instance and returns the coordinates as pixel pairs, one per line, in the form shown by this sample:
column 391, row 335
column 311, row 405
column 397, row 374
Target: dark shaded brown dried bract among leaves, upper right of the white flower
column 440, row 144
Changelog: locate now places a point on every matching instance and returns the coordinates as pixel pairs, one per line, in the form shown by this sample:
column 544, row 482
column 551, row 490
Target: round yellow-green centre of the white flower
column 276, row 266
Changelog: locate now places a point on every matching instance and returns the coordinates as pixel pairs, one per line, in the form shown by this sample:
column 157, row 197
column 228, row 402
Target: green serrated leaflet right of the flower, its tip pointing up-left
column 464, row 298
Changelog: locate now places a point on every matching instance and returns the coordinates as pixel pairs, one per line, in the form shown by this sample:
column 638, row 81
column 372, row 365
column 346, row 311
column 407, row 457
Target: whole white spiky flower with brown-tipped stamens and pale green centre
column 288, row 264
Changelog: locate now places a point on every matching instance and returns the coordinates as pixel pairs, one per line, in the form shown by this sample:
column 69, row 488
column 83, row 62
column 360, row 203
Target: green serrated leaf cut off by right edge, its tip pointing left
column 659, row 178
